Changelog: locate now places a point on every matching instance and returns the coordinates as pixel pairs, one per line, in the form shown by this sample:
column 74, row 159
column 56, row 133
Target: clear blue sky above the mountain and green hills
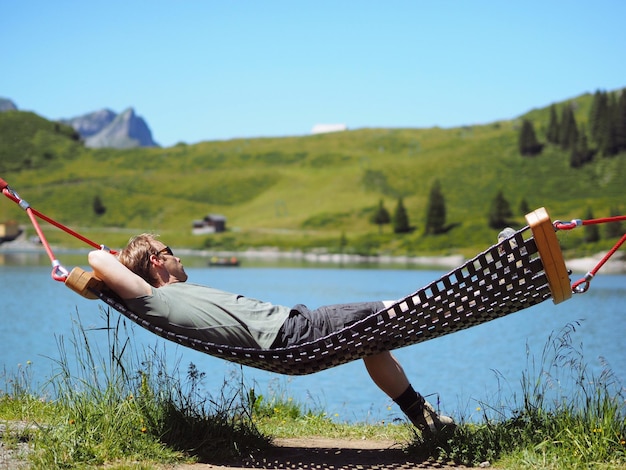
column 212, row 70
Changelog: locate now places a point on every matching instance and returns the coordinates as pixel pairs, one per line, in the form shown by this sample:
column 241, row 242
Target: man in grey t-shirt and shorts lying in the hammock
column 151, row 281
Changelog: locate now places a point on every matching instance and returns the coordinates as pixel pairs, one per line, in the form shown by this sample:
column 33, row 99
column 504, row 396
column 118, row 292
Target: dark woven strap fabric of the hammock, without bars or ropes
column 504, row 279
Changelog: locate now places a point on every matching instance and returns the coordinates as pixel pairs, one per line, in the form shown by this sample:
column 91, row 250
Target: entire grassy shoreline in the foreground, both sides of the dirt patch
column 127, row 409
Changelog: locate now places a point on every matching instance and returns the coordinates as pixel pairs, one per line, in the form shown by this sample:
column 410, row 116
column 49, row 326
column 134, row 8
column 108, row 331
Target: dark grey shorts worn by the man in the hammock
column 304, row 325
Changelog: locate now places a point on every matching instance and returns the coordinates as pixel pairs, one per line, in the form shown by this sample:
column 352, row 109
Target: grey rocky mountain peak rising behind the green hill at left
column 104, row 128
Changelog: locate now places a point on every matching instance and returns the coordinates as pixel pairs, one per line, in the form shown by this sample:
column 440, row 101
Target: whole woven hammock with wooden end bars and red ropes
column 523, row 270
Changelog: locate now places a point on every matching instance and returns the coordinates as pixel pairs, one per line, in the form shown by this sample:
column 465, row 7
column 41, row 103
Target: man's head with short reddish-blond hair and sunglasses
column 151, row 260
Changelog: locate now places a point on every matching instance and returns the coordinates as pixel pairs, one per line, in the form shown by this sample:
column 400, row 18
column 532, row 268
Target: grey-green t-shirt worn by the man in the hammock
column 211, row 315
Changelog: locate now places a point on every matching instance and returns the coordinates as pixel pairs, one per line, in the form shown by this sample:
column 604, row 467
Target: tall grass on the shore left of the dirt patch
column 125, row 406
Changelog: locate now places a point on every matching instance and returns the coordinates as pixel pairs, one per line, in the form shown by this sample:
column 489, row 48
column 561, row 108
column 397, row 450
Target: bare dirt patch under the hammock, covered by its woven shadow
column 335, row 454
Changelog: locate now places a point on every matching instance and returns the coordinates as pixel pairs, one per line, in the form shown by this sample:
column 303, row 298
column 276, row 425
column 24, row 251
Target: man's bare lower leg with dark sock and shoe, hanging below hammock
column 389, row 376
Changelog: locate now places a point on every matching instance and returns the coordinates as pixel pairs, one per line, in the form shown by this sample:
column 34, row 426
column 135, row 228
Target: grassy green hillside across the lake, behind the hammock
column 307, row 191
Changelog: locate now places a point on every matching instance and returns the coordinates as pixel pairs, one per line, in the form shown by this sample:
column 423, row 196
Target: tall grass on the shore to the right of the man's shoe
column 547, row 428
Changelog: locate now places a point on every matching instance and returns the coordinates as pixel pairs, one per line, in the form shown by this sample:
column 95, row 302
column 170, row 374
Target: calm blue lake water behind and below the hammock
column 464, row 369
